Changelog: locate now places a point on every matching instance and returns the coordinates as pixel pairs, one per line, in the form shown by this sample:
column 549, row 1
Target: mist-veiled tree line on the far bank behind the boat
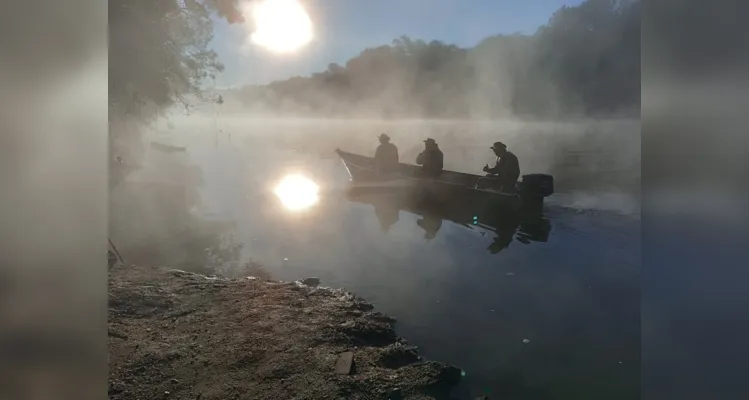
column 584, row 61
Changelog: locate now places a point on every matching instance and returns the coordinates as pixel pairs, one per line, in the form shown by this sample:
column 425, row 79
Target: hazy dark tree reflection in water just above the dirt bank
column 154, row 223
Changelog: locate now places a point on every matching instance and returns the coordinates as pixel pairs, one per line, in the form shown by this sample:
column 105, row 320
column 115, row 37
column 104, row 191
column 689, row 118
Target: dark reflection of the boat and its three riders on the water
column 524, row 226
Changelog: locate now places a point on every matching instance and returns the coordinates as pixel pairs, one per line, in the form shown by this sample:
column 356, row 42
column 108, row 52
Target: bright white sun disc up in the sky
column 282, row 26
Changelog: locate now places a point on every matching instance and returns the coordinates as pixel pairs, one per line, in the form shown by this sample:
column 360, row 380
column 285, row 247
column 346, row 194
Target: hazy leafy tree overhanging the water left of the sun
column 158, row 57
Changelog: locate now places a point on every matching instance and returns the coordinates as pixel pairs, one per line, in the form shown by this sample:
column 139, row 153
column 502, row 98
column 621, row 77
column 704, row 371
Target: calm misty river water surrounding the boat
column 550, row 310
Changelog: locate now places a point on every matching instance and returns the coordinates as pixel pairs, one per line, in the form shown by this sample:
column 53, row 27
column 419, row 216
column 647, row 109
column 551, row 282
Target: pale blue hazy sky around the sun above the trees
column 343, row 28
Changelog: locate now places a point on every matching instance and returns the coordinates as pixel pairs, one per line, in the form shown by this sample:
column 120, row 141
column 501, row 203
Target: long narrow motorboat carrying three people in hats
column 449, row 186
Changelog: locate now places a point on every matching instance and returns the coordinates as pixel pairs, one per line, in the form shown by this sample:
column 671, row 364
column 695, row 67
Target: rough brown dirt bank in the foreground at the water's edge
column 178, row 335
